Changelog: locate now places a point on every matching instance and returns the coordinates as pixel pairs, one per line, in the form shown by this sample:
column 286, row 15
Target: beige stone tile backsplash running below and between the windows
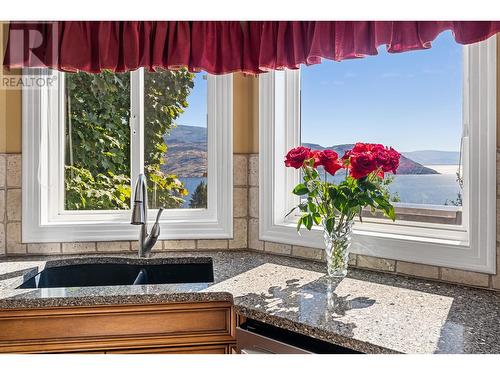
column 245, row 230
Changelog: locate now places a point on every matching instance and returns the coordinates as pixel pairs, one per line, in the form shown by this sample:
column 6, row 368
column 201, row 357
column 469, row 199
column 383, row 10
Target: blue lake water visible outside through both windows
column 418, row 189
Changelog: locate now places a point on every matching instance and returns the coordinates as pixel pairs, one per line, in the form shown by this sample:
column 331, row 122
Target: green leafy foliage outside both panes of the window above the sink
column 98, row 137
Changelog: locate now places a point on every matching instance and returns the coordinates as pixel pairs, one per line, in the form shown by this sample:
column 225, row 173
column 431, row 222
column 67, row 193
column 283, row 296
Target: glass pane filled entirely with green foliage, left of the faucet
column 97, row 137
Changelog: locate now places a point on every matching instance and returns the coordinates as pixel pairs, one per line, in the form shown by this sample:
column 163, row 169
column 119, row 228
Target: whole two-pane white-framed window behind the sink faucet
column 86, row 140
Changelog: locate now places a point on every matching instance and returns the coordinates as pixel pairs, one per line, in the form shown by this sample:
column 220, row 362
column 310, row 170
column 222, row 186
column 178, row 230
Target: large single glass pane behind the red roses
column 411, row 101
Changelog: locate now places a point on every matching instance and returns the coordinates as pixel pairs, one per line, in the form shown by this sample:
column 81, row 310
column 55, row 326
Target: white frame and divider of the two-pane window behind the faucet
column 44, row 217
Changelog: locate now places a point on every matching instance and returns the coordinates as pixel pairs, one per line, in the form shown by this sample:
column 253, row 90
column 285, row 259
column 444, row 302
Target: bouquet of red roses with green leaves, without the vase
column 333, row 204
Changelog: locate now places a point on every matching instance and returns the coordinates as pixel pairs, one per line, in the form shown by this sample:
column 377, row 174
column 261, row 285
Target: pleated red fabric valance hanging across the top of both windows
column 220, row 47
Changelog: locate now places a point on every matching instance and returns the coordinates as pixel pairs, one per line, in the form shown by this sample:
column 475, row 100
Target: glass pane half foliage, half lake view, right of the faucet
column 175, row 111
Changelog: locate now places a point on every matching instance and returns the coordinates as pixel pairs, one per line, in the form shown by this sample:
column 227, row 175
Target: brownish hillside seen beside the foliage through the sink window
column 186, row 155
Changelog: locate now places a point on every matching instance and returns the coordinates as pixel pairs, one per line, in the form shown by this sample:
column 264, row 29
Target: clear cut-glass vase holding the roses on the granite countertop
column 337, row 249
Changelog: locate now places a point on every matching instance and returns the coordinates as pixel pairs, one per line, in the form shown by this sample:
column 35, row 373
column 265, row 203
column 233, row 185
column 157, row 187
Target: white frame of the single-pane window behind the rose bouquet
column 470, row 246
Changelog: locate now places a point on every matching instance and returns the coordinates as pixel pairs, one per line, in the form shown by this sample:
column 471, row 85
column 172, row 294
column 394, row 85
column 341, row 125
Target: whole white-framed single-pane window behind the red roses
column 436, row 106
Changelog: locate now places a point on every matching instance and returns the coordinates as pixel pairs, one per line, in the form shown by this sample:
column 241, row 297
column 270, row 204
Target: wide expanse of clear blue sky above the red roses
column 411, row 101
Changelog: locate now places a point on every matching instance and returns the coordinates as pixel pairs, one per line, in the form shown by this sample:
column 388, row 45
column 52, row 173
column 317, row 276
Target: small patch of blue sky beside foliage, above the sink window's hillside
column 196, row 112
